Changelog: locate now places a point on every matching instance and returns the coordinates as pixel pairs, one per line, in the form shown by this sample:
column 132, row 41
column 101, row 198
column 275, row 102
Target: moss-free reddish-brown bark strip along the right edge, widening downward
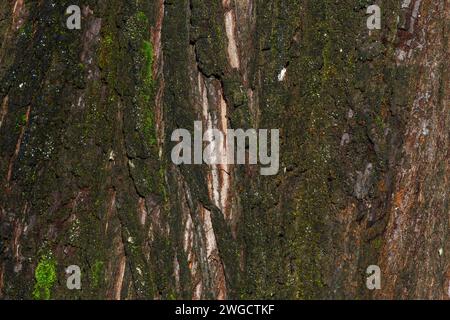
column 418, row 225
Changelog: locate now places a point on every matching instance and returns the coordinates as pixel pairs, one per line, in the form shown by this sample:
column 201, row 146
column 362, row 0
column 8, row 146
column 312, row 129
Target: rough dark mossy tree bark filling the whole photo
column 86, row 118
